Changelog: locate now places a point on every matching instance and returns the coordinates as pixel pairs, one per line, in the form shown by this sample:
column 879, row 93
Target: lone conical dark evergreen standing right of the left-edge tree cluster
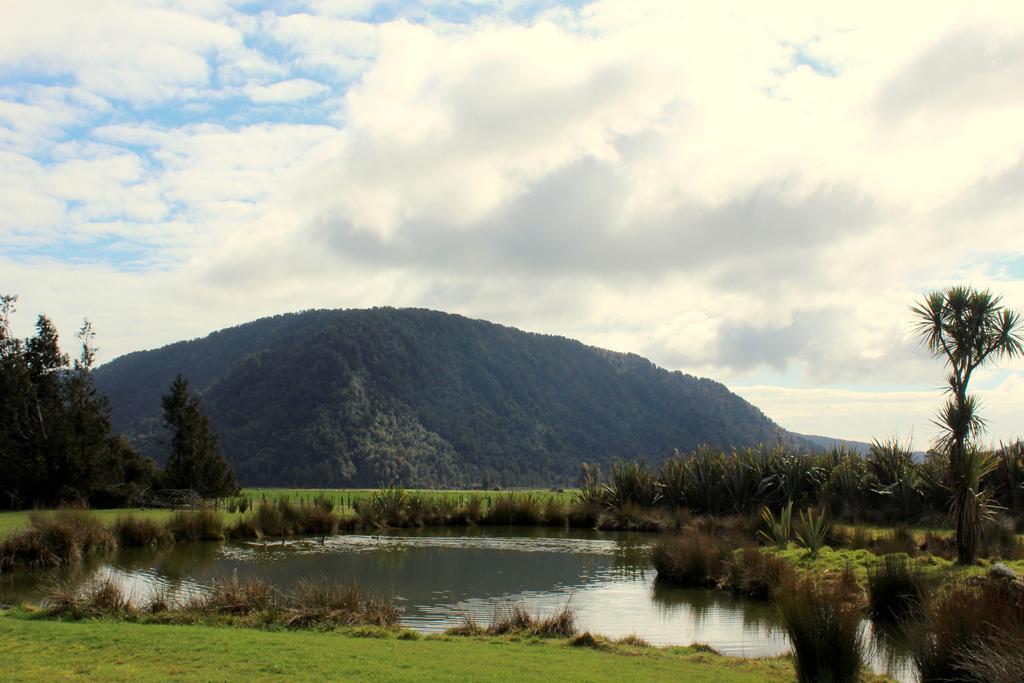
column 196, row 461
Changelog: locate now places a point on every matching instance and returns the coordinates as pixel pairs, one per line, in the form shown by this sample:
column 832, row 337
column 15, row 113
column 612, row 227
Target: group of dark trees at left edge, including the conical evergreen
column 57, row 444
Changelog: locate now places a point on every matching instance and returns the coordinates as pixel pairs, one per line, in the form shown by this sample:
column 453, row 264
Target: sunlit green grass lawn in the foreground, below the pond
column 33, row 650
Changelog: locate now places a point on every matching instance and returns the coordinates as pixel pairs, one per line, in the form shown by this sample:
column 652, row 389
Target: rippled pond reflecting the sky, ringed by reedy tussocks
column 438, row 576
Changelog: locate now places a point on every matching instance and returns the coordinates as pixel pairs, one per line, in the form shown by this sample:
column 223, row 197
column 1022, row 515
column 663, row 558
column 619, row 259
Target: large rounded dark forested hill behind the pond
column 363, row 398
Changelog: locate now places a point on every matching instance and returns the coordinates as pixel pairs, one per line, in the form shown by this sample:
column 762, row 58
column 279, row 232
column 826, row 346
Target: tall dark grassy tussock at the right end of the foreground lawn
column 824, row 625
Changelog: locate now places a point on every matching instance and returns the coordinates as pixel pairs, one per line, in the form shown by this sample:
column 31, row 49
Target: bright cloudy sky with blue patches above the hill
column 755, row 193
